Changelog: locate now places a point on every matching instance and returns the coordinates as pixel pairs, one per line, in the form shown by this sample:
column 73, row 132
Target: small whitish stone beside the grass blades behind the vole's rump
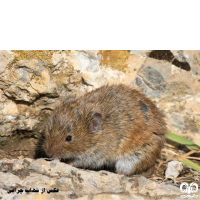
column 174, row 168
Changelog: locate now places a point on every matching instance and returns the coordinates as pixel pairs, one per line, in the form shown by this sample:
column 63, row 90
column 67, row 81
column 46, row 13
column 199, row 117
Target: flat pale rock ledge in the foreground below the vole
column 75, row 183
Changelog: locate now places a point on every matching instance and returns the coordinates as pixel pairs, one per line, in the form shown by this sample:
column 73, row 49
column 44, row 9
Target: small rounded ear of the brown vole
column 95, row 122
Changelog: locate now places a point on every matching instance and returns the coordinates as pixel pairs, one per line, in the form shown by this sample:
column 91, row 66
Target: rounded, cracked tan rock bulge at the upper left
column 26, row 80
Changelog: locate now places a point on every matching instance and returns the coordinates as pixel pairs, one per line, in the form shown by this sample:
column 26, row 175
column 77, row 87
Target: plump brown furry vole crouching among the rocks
column 114, row 126
